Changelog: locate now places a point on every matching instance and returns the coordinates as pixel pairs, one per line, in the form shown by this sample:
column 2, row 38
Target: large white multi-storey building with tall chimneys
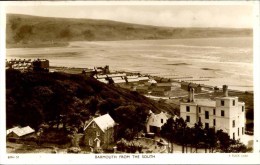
column 225, row 113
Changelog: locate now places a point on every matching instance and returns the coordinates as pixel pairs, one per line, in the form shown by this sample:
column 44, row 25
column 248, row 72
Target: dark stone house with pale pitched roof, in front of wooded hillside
column 100, row 131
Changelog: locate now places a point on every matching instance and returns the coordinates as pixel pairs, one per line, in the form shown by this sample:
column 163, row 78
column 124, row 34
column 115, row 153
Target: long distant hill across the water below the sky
column 25, row 30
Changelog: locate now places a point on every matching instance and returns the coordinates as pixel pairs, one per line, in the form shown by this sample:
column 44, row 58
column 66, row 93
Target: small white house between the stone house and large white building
column 156, row 121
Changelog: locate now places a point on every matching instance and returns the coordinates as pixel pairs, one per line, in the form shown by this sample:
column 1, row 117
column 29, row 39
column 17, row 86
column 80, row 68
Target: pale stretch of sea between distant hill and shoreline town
column 209, row 61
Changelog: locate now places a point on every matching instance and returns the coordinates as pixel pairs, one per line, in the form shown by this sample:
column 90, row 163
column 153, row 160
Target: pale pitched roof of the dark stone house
column 104, row 122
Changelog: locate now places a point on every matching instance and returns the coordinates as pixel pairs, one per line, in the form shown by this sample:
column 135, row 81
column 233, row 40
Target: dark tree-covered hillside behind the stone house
column 70, row 99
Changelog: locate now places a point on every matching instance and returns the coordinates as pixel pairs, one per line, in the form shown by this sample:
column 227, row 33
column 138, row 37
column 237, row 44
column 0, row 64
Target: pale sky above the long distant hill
column 173, row 15
